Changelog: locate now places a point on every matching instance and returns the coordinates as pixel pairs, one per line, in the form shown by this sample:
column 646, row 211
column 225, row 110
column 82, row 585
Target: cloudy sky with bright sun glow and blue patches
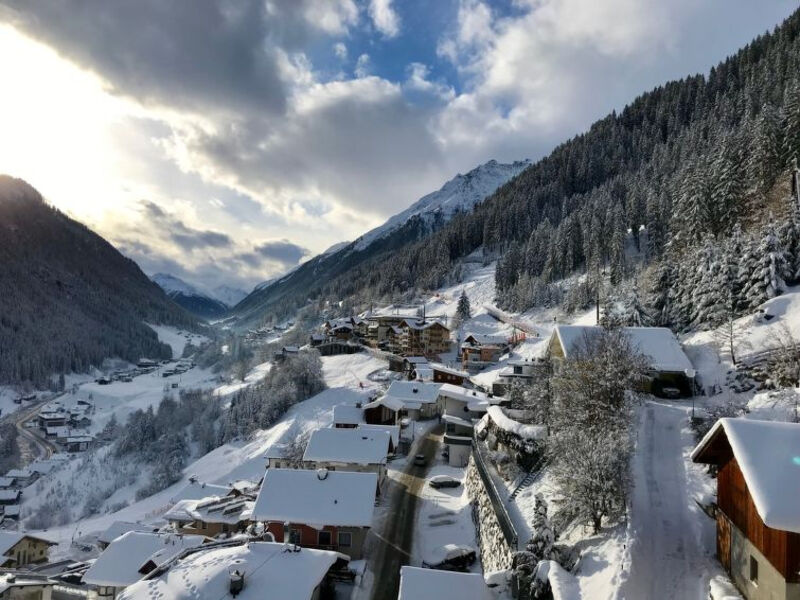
column 225, row 141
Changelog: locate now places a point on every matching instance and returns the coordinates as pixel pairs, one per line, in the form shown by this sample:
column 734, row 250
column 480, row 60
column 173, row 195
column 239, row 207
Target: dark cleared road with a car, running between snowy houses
column 397, row 534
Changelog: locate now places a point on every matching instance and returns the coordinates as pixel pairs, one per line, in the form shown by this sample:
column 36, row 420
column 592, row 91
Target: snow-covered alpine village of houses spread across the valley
column 417, row 444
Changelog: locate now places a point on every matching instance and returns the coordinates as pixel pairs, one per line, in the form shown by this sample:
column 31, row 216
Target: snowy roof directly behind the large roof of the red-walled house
column 357, row 446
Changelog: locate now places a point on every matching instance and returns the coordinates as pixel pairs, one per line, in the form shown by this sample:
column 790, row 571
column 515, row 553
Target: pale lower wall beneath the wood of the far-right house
column 771, row 584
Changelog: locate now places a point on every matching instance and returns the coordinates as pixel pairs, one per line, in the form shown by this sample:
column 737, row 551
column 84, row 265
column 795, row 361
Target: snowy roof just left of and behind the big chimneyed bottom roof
column 119, row 564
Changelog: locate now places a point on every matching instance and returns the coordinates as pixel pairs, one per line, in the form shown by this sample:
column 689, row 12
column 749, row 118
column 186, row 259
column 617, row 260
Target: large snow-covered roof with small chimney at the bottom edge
column 269, row 571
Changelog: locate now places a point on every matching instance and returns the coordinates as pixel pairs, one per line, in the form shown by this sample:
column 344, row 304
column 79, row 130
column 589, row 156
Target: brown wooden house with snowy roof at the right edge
column 758, row 504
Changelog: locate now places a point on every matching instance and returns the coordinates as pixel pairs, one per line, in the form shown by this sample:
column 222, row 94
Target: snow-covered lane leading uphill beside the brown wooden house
column 667, row 560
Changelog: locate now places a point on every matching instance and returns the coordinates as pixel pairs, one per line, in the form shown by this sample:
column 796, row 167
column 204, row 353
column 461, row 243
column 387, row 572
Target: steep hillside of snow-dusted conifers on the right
column 687, row 164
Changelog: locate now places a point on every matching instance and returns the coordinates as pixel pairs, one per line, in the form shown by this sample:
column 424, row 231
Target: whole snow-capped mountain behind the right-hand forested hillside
column 431, row 212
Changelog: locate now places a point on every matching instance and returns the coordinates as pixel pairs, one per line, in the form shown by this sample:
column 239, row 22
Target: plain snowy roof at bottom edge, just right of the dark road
column 431, row 584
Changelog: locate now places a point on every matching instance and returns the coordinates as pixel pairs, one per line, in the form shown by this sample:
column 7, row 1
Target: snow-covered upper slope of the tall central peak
column 460, row 194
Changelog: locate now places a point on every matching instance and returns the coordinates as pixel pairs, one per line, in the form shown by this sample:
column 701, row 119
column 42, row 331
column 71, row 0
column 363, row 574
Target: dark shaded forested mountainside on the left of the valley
column 68, row 299
